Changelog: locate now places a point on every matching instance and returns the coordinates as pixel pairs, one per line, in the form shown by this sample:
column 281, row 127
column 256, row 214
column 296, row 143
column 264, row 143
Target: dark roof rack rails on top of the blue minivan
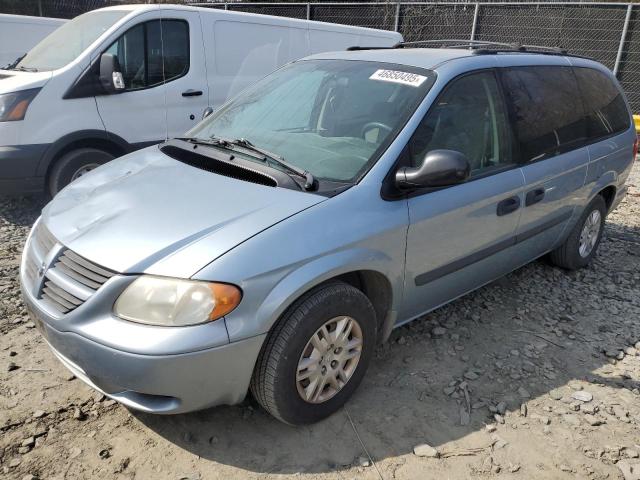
column 477, row 46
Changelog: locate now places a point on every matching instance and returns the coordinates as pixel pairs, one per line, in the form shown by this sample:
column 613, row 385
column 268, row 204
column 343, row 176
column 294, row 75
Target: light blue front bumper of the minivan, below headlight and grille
column 158, row 384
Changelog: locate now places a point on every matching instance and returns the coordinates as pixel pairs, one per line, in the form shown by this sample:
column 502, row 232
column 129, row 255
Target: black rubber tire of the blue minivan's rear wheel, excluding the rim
column 568, row 255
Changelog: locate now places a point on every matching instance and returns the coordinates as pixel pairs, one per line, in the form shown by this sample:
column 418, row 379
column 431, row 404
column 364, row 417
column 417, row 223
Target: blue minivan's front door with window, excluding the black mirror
column 460, row 237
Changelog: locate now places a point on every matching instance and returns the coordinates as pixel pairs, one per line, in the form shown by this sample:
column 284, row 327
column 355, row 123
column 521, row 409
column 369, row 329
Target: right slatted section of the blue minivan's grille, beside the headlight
column 71, row 280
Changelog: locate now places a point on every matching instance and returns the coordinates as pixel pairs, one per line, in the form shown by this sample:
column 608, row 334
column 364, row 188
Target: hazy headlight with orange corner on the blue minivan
column 174, row 302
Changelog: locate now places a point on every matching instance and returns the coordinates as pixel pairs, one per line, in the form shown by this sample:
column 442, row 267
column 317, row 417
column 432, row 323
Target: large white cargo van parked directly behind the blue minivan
column 121, row 78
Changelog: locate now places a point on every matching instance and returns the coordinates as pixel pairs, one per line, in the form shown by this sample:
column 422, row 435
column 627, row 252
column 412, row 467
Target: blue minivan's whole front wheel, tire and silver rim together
column 317, row 354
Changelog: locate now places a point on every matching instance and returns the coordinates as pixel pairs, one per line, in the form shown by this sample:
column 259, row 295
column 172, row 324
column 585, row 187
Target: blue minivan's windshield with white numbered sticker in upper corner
column 332, row 118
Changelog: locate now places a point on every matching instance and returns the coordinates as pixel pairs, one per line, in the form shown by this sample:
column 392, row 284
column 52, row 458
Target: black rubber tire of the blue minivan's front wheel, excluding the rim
column 274, row 378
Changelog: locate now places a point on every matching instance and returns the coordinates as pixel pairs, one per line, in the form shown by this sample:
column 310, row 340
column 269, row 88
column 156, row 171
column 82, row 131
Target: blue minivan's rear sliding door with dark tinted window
column 550, row 127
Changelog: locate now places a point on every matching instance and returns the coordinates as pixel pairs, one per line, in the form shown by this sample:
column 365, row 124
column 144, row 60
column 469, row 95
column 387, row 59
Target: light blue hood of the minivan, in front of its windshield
column 148, row 213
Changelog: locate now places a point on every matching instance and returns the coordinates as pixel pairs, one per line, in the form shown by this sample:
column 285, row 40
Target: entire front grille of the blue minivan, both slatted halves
column 69, row 280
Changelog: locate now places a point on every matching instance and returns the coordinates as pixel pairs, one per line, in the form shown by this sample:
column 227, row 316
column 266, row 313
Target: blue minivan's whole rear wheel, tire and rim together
column 581, row 244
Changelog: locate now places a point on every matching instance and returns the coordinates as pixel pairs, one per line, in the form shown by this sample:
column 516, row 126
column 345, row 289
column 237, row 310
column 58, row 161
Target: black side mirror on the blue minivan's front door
column 439, row 168
